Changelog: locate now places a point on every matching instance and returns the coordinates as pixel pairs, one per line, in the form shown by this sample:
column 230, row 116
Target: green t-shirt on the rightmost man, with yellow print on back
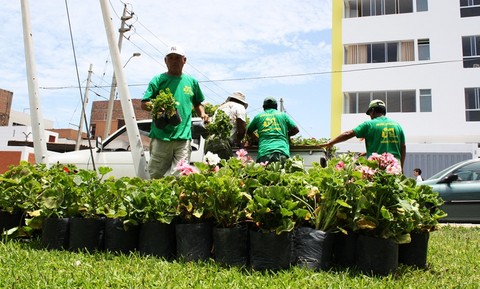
column 382, row 135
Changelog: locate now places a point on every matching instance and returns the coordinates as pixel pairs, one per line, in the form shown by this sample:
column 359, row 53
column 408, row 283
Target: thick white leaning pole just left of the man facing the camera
column 138, row 154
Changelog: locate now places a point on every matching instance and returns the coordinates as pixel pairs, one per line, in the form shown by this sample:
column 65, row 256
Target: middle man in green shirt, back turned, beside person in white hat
column 274, row 129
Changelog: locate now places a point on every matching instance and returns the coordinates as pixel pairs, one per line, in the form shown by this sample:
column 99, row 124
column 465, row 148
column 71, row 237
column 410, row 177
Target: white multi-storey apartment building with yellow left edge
column 422, row 57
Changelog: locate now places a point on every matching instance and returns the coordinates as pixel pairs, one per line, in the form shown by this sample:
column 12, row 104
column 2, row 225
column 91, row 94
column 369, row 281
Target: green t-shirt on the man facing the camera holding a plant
column 187, row 92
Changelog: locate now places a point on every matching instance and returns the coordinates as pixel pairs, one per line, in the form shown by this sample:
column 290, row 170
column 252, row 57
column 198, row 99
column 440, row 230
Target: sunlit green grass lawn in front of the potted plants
column 453, row 261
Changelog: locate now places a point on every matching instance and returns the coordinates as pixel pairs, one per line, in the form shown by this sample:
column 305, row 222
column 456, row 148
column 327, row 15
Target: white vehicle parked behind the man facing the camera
column 114, row 152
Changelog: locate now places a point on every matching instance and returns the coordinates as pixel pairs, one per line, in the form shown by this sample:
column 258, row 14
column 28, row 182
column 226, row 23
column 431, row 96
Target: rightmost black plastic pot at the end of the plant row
column 415, row 252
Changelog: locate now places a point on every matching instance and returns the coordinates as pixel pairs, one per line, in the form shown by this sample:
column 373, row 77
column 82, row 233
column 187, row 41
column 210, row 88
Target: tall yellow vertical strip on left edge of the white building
column 337, row 61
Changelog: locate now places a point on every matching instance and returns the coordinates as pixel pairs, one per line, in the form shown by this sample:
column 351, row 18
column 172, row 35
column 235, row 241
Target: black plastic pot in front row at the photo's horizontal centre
column 231, row 245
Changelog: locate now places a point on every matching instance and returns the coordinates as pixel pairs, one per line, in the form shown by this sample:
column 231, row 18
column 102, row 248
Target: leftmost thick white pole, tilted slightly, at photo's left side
column 38, row 131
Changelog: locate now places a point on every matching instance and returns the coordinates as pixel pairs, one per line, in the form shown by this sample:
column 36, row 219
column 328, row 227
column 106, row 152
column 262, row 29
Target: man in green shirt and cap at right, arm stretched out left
column 381, row 134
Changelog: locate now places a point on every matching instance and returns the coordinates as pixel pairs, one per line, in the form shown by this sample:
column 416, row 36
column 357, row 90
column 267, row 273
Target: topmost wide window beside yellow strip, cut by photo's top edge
column 365, row 8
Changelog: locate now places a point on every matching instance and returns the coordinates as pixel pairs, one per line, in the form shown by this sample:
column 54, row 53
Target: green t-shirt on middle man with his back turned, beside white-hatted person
column 272, row 127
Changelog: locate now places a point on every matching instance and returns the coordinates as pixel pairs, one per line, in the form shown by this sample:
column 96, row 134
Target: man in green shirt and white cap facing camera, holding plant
column 171, row 144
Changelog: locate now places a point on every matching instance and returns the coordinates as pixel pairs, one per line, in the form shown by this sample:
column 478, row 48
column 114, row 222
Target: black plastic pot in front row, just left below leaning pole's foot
column 120, row 239
